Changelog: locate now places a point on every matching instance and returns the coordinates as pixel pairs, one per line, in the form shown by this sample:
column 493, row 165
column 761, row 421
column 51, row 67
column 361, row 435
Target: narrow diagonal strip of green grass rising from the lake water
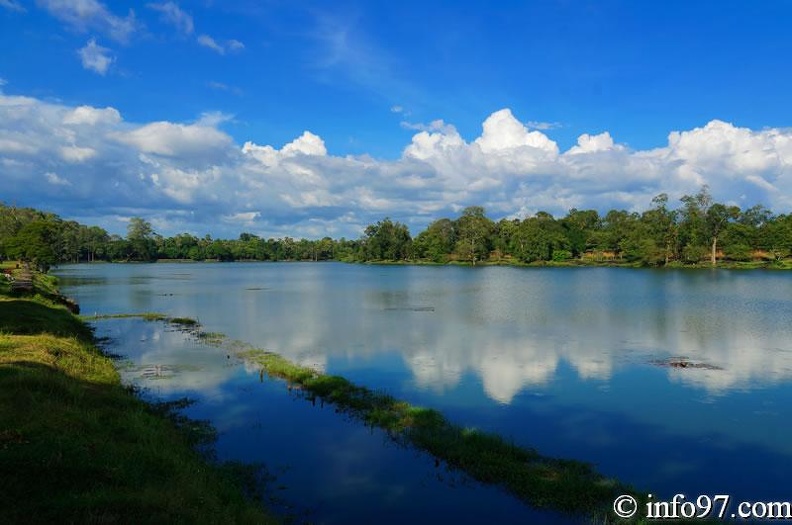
column 565, row 485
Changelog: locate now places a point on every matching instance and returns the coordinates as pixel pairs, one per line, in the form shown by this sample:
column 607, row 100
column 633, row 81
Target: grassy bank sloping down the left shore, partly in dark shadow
column 78, row 447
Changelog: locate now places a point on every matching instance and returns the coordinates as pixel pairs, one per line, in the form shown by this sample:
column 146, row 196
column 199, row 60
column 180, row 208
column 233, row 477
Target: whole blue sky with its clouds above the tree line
column 314, row 118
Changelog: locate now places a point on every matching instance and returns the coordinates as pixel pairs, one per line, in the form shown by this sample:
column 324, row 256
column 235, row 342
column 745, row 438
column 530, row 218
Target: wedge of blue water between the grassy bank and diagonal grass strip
column 328, row 469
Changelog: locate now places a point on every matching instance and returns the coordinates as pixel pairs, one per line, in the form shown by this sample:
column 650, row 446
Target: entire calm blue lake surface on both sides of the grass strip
column 568, row 361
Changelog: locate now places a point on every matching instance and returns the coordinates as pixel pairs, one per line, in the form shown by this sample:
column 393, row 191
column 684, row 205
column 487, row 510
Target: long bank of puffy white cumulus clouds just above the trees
column 194, row 177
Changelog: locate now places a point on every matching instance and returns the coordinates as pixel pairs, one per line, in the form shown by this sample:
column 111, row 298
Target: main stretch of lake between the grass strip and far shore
column 573, row 346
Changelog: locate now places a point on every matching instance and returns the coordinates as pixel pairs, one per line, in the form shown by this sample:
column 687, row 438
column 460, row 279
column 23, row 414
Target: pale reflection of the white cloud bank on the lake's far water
column 511, row 327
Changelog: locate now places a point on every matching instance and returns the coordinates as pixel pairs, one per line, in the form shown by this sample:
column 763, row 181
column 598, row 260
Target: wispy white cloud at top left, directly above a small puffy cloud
column 91, row 15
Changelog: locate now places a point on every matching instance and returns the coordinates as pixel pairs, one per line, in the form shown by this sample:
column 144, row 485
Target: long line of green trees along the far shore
column 697, row 231
